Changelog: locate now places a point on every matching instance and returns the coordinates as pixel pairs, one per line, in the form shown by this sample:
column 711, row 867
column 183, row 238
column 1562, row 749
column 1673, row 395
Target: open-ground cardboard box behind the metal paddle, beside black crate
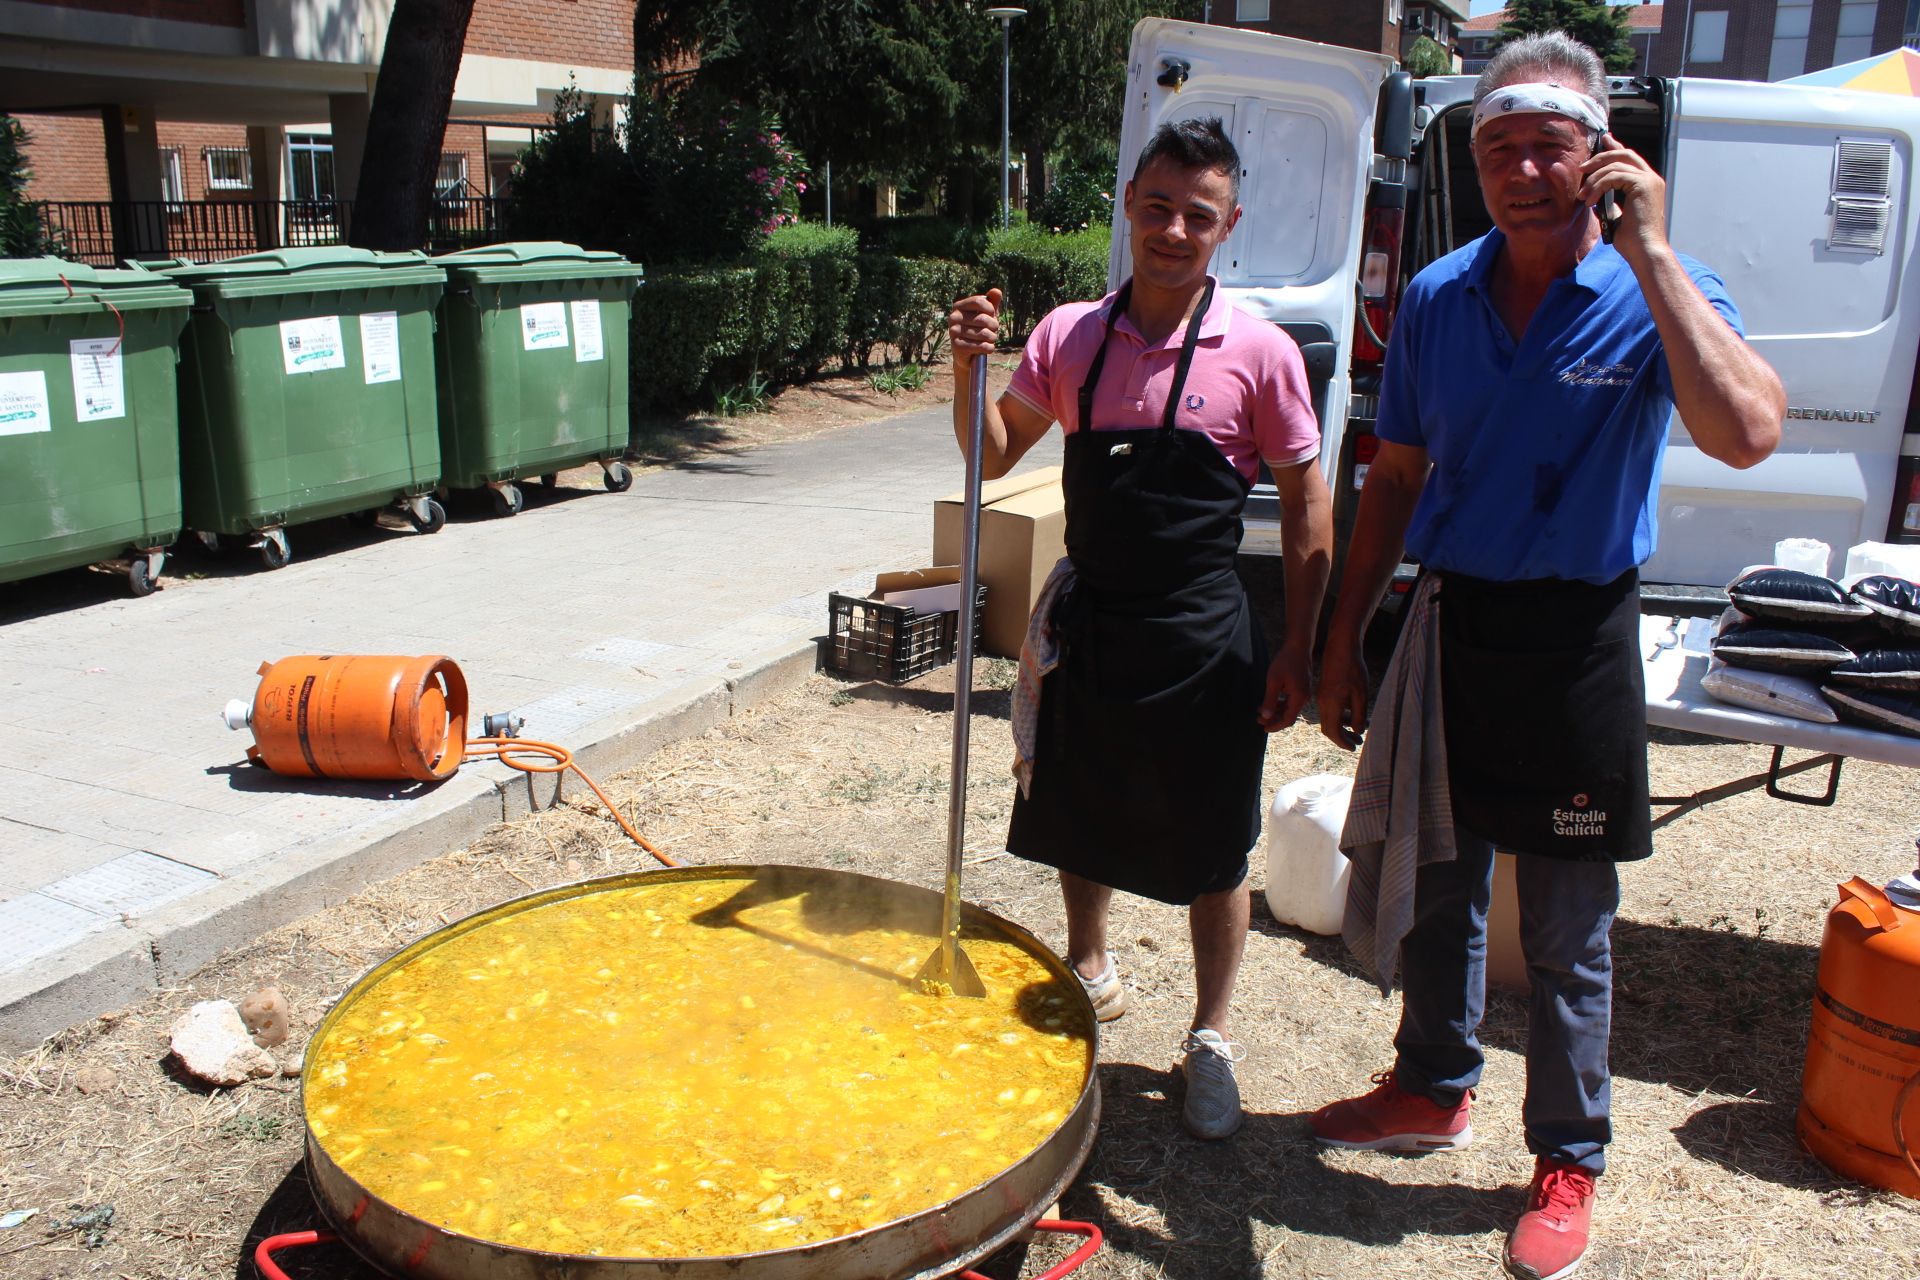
column 1022, row 533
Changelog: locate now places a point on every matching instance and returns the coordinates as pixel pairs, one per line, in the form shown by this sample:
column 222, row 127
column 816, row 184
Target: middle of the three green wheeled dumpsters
column 308, row 392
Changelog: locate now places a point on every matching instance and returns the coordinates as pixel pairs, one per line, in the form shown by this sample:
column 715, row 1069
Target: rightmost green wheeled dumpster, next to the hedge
column 533, row 366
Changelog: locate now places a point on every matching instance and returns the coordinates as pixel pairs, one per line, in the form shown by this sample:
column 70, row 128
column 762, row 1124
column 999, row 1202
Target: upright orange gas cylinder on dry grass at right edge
column 1860, row 1110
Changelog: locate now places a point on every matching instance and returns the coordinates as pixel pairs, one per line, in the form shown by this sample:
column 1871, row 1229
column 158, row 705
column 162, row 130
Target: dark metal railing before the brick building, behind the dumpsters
column 105, row 233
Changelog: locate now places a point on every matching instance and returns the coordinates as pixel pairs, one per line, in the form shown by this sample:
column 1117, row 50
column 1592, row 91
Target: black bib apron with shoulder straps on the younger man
column 1149, row 753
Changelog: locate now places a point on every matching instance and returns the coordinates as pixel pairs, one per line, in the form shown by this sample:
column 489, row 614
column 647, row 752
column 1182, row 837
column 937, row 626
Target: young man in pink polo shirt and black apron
column 1145, row 692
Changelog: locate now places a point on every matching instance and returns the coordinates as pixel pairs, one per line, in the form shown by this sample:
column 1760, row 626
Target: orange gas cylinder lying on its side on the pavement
column 370, row 717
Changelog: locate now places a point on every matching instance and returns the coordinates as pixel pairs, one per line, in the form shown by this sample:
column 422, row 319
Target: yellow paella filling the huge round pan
column 690, row 1068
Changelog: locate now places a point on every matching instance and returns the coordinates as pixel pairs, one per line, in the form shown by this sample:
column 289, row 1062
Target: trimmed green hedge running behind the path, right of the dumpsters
column 813, row 298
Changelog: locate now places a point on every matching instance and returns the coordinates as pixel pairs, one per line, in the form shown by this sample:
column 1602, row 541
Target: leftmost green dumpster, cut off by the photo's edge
column 89, row 423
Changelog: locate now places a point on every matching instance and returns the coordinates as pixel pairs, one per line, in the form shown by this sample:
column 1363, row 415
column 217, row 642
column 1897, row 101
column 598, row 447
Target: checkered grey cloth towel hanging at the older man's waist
column 1403, row 809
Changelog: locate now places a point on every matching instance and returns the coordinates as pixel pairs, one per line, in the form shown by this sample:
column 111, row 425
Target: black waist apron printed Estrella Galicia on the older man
column 1547, row 726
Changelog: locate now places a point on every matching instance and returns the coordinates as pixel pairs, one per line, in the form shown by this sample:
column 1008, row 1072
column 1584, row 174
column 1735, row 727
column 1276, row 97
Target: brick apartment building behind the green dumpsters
column 153, row 122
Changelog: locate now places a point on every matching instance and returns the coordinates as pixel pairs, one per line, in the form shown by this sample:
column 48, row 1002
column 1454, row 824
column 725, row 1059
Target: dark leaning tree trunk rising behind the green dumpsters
column 408, row 122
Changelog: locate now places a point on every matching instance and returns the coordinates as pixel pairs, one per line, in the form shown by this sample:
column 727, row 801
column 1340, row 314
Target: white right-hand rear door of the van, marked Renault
column 1802, row 201
